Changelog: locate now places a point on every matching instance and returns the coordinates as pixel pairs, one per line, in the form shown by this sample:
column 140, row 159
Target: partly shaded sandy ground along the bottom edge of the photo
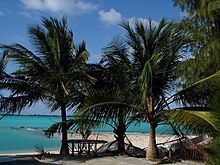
column 64, row 160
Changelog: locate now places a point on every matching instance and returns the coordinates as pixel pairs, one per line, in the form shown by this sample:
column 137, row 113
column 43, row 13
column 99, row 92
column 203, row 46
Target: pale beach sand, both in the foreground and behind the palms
column 137, row 139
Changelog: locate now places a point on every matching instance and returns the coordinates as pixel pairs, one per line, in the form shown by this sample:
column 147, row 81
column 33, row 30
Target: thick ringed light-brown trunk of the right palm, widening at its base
column 152, row 151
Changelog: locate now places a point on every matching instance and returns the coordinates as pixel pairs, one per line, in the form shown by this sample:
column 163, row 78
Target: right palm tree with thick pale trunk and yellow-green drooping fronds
column 153, row 55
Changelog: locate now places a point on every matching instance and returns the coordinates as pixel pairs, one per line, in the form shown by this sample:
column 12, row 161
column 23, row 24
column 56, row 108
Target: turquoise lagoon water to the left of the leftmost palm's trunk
column 23, row 133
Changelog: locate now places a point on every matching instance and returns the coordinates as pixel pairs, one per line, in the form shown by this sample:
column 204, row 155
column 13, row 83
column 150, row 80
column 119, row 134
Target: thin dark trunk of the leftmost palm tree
column 64, row 146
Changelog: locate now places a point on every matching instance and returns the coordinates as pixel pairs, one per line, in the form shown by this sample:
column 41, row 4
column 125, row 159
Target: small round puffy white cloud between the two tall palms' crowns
column 110, row 17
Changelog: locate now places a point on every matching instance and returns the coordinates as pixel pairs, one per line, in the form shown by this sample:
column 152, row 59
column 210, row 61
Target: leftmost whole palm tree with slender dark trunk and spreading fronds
column 52, row 74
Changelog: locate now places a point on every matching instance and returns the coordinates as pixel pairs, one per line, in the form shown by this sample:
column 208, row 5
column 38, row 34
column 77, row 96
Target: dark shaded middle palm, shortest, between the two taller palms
column 110, row 85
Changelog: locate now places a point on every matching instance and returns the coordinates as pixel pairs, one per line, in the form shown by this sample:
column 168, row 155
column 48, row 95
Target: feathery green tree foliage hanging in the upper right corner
column 202, row 21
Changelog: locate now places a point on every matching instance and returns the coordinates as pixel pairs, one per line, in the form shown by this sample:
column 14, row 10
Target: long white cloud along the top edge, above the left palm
column 72, row 7
